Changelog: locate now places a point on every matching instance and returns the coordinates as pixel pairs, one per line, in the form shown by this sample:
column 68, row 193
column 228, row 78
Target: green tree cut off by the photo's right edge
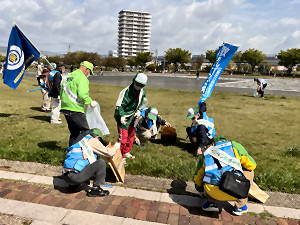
column 289, row 58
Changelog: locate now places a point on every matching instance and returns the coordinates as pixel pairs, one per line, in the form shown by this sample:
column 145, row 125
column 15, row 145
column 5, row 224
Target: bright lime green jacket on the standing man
column 74, row 92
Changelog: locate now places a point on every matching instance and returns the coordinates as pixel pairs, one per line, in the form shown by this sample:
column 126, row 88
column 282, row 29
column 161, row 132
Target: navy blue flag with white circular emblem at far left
column 20, row 54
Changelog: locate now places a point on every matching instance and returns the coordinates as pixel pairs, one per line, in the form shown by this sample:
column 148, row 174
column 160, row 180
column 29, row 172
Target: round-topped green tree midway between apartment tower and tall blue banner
column 178, row 56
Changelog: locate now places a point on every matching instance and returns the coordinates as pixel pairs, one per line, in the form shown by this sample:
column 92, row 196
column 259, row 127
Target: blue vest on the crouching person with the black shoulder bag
column 213, row 174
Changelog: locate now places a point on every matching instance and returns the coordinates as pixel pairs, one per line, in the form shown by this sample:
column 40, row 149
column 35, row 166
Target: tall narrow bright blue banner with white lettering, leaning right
column 225, row 53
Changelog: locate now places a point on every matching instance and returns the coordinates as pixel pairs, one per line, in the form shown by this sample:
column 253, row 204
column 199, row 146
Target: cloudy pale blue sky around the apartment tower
column 193, row 25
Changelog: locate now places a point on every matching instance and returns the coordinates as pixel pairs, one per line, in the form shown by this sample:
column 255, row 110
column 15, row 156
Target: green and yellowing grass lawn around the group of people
column 268, row 128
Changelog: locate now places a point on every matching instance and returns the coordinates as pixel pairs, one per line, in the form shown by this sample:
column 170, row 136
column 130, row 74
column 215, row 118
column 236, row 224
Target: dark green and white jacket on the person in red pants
column 127, row 104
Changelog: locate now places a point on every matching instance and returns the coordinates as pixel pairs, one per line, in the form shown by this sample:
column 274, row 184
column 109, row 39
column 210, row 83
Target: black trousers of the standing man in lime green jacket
column 77, row 123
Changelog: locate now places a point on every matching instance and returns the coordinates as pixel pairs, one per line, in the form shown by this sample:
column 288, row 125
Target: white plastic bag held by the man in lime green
column 95, row 119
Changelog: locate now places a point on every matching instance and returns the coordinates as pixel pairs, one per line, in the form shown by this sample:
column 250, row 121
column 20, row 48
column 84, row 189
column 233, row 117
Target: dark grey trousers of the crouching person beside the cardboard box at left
column 97, row 168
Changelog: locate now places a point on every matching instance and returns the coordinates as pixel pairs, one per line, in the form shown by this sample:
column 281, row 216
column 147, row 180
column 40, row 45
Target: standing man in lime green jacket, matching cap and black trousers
column 74, row 95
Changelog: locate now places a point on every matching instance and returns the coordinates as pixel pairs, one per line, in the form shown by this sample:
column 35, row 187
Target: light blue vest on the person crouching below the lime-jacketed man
column 74, row 159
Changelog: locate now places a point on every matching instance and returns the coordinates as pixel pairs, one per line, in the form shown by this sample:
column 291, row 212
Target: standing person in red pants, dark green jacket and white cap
column 128, row 107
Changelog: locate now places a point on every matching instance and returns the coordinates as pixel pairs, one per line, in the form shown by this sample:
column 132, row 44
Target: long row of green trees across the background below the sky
column 178, row 58
